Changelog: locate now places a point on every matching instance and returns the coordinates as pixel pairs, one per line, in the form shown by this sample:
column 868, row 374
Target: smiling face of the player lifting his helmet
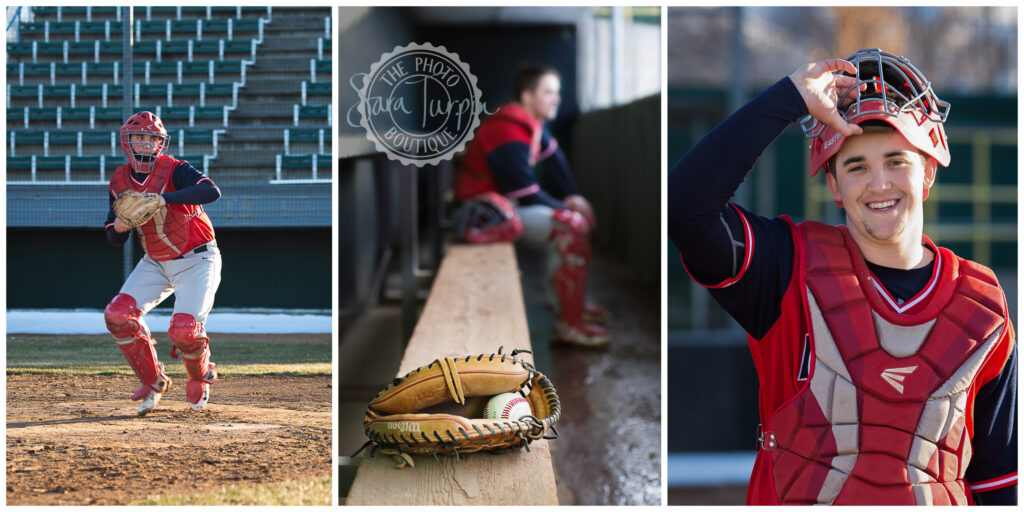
column 880, row 180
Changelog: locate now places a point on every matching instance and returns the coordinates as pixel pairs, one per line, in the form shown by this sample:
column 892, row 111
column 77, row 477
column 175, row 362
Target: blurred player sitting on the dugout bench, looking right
column 501, row 158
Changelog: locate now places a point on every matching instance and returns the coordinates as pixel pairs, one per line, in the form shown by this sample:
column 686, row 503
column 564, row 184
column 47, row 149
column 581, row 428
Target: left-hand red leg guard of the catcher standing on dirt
column 124, row 322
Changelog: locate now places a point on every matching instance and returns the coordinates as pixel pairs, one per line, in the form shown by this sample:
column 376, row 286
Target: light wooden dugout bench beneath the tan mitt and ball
column 475, row 307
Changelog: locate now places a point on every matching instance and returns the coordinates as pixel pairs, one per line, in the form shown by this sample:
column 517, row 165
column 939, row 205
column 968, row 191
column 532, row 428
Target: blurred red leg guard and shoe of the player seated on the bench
column 571, row 234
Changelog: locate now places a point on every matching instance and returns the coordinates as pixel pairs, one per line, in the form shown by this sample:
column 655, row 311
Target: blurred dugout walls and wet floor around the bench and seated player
column 397, row 223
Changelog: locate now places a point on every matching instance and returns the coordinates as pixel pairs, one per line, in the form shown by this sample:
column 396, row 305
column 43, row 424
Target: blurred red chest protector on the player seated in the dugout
column 510, row 124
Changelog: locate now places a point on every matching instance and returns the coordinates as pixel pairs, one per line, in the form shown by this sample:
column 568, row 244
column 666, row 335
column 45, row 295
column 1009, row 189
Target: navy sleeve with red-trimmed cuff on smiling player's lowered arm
column 993, row 474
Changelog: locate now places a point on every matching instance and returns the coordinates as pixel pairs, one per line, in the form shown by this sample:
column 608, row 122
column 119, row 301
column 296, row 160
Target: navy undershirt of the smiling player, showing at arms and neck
column 700, row 188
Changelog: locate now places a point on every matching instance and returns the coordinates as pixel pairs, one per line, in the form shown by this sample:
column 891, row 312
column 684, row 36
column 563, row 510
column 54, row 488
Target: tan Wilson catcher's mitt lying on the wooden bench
column 397, row 423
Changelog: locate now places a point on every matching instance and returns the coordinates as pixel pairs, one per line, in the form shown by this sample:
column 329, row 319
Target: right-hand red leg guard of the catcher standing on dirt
column 191, row 342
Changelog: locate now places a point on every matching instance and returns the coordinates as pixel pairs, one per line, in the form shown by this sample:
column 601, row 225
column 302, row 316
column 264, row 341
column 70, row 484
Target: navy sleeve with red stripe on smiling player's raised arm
column 746, row 260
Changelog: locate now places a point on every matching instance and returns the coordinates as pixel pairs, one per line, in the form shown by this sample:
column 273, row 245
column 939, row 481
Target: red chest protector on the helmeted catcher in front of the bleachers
column 177, row 229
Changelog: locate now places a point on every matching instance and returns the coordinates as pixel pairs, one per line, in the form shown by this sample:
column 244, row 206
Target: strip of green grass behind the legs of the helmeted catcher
column 236, row 355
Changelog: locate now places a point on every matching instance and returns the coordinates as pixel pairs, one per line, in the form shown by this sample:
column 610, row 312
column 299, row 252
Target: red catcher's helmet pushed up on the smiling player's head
column 897, row 94
